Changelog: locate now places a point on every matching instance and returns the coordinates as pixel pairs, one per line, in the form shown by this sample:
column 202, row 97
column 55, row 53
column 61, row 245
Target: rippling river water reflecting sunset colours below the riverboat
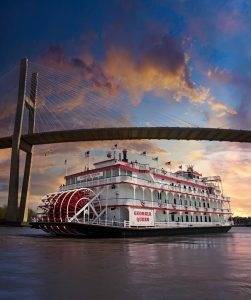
column 34, row 265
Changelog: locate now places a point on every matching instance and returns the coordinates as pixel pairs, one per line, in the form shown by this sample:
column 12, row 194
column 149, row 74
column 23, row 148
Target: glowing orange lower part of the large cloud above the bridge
column 150, row 76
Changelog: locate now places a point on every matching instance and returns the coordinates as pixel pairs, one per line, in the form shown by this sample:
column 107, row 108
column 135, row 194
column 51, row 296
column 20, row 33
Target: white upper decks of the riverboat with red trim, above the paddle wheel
column 115, row 171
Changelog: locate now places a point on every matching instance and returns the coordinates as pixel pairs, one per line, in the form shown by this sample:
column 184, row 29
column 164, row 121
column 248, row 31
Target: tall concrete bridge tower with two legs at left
column 18, row 213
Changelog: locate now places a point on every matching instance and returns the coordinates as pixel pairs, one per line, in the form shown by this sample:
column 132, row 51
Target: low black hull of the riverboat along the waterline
column 89, row 230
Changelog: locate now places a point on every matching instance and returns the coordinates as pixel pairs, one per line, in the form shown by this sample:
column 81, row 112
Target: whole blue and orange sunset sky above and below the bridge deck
column 132, row 63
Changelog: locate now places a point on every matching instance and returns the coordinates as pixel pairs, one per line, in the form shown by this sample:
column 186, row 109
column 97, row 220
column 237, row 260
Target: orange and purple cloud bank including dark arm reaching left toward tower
column 156, row 64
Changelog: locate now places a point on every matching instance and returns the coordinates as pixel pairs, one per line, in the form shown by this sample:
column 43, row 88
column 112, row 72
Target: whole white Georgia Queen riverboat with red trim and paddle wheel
column 122, row 198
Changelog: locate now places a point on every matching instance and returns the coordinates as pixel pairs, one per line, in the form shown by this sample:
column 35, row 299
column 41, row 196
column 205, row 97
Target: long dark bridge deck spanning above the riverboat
column 133, row 133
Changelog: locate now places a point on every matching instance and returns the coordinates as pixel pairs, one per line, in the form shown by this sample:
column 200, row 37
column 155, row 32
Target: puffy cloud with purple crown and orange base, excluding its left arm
column 160, row 66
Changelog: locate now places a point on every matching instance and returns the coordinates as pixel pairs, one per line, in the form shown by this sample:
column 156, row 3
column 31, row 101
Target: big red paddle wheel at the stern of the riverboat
column 80, row 205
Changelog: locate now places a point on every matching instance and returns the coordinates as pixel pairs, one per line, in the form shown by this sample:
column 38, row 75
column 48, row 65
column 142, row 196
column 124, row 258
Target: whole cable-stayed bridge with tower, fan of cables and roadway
column 60, row 106
